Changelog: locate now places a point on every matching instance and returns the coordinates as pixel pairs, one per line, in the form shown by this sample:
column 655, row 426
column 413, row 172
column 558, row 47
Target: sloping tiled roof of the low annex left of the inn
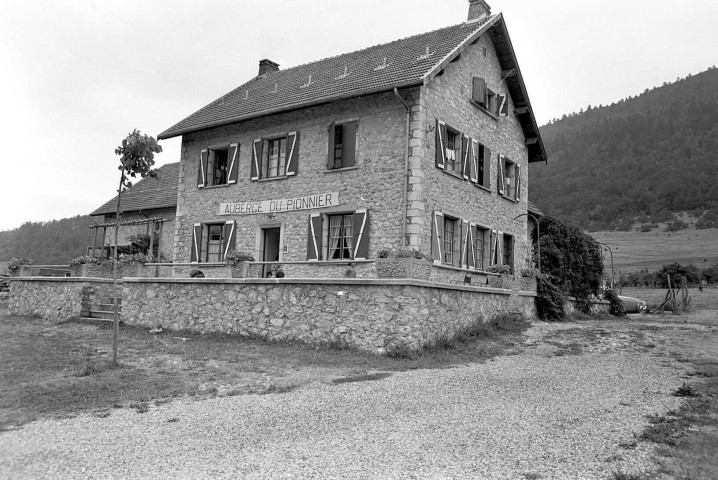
column 149, row 193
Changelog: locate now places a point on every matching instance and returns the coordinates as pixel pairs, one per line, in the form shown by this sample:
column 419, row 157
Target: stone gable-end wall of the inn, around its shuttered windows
column 447, row 98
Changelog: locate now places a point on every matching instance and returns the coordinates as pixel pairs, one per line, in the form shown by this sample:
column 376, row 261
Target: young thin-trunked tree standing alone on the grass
column 137, row 157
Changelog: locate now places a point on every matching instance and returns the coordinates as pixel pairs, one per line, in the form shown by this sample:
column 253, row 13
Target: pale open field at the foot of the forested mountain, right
column 634, row 251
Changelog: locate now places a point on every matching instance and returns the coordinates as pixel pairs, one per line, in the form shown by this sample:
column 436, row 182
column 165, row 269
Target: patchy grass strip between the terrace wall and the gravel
column 52, row 370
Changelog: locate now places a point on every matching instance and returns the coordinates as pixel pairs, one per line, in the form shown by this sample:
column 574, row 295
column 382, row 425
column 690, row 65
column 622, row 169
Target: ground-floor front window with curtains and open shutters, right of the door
column 338, row 236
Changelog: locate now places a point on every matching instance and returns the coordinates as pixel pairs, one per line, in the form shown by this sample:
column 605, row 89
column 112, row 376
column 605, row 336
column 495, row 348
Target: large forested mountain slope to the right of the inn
column 647, row 157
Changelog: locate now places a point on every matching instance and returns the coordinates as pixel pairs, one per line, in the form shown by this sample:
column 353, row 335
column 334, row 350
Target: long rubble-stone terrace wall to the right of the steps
column 366, row 314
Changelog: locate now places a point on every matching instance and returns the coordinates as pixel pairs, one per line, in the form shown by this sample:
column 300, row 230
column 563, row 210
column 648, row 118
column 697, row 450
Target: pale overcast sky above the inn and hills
column 77, row 76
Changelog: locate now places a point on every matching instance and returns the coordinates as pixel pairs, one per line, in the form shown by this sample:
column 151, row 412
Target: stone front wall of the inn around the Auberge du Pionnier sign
column 375, row 183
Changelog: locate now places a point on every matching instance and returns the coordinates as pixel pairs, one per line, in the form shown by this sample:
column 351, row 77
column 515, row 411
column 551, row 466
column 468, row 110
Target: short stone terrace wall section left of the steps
column 55, row 299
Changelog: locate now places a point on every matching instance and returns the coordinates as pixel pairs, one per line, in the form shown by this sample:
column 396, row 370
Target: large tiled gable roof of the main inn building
column 402, row 63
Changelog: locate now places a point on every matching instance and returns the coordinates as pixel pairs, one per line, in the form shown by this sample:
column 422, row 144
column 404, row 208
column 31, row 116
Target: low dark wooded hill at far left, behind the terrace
column 49, row 243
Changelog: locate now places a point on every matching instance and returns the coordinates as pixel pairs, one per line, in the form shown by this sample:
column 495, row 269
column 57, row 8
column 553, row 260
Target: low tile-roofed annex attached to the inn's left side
column 148, row 206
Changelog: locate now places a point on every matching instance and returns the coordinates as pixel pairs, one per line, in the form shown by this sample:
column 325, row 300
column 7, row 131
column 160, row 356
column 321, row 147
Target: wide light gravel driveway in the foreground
column 530, row 414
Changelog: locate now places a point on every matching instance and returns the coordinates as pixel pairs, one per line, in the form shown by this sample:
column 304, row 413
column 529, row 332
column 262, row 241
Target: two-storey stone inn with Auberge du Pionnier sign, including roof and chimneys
column 422, row 143
